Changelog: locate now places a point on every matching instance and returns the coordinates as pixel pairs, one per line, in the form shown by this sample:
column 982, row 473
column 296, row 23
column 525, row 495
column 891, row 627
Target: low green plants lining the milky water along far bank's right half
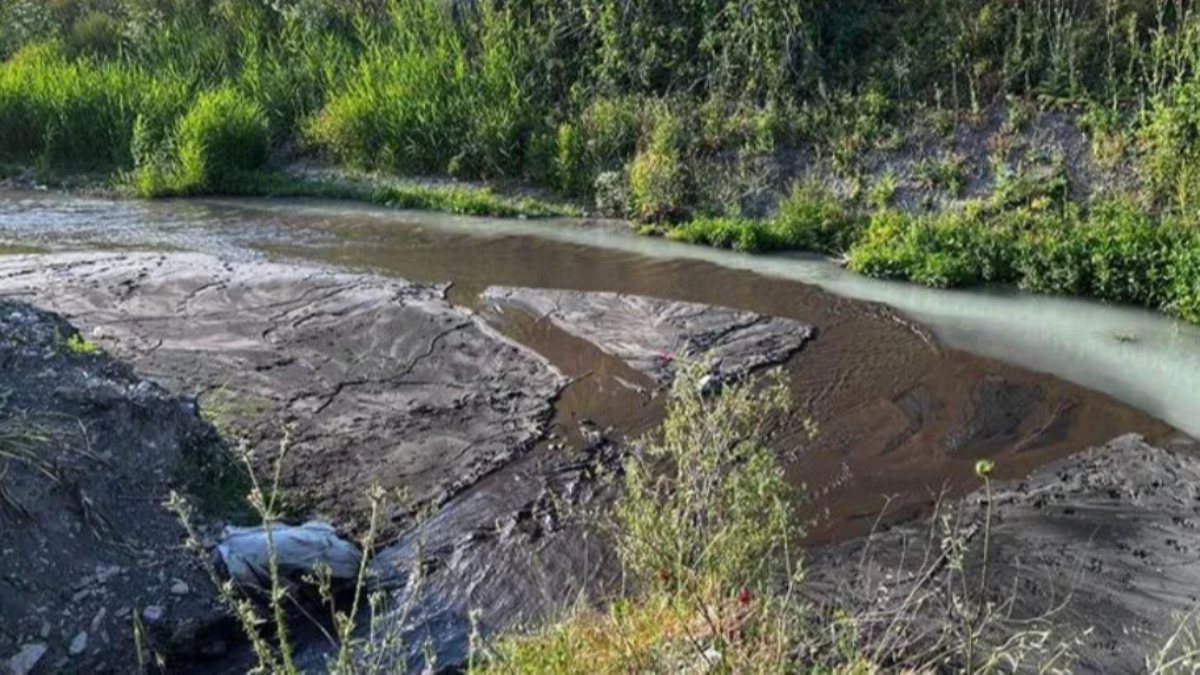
column 1114, row 250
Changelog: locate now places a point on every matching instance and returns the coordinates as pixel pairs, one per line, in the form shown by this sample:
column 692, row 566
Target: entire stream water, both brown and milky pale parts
column 903, row 410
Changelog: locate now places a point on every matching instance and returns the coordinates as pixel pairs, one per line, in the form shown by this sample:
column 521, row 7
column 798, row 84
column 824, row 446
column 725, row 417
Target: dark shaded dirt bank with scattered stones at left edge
column 88, row 453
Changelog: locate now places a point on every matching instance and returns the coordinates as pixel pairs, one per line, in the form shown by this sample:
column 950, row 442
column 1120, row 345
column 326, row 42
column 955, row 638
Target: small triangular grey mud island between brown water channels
column 650, row 333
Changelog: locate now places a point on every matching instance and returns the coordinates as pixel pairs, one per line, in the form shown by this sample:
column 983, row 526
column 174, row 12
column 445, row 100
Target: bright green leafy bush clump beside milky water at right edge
column 1114, row 253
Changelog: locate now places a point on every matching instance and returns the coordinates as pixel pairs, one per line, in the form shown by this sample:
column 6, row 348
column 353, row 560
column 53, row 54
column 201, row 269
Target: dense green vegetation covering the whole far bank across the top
column 677, row 115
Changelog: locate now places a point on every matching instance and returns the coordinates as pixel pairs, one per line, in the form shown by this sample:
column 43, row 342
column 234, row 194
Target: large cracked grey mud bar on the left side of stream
column 383, row 379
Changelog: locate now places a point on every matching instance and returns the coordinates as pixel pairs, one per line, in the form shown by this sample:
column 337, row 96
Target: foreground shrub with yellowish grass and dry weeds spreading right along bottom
column 707, row 534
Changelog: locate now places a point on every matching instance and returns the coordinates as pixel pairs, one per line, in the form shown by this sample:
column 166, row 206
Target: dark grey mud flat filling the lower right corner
column 1101, row 546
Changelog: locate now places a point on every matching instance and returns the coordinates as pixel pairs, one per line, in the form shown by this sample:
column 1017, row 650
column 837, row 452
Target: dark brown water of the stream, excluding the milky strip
column 901, row 420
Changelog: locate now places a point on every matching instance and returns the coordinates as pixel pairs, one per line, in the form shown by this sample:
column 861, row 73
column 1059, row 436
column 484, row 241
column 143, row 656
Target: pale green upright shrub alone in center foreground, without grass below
column 706, row 500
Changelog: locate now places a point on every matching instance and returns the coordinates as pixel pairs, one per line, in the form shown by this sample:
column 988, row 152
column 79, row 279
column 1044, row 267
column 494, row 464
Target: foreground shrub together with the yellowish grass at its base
column 705, row 530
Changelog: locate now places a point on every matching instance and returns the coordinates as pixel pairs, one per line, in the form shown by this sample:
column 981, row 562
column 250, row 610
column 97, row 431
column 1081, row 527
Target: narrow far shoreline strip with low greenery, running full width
column 964, row 246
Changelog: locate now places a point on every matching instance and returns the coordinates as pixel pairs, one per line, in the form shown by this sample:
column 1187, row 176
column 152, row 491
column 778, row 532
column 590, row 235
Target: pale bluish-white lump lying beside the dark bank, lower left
column 298, row 551
